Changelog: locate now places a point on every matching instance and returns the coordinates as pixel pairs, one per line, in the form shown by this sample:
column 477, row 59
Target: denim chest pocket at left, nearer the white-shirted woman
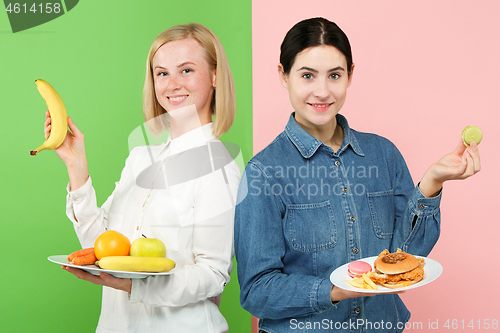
column 310, row 227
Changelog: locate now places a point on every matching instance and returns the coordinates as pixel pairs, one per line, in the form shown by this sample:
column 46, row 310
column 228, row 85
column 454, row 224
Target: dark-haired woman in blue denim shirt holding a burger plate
column 302, row 213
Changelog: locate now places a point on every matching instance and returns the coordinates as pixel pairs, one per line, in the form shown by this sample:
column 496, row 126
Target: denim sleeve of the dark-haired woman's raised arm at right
column 418, row 219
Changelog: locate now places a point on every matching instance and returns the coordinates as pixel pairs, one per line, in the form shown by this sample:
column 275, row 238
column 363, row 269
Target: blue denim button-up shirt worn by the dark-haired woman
column 304, row 210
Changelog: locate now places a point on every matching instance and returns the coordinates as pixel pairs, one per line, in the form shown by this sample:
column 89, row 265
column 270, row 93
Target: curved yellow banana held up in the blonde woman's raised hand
column 58, row 115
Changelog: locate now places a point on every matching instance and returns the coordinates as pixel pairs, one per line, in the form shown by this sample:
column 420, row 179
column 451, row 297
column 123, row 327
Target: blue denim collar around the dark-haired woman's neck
column 307, row 144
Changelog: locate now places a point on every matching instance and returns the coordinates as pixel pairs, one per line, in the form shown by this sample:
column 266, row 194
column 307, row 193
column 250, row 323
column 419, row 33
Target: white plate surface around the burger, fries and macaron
column 432, row 270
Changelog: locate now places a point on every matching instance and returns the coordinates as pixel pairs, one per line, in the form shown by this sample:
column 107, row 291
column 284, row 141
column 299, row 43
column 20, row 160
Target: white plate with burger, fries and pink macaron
column 386, row 273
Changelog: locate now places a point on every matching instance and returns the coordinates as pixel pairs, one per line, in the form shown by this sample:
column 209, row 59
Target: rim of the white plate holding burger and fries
column 382, row 289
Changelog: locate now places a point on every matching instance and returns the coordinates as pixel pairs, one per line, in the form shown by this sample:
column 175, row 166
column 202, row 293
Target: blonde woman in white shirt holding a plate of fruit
column 178, row 191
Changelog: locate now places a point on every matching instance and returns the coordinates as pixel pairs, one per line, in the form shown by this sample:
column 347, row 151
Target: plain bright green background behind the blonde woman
column 95, row 57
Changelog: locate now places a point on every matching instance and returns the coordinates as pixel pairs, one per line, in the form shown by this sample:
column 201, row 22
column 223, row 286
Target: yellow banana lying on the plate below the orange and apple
column 136, row 264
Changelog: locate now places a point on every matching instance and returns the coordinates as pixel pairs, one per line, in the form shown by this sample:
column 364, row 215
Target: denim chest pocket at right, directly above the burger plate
column 382, row 213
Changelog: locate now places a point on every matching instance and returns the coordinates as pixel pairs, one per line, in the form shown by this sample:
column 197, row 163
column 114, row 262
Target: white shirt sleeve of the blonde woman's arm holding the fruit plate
column 212, row 246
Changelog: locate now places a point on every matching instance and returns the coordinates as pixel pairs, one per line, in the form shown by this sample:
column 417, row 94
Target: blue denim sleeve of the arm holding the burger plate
column 266, row 291
